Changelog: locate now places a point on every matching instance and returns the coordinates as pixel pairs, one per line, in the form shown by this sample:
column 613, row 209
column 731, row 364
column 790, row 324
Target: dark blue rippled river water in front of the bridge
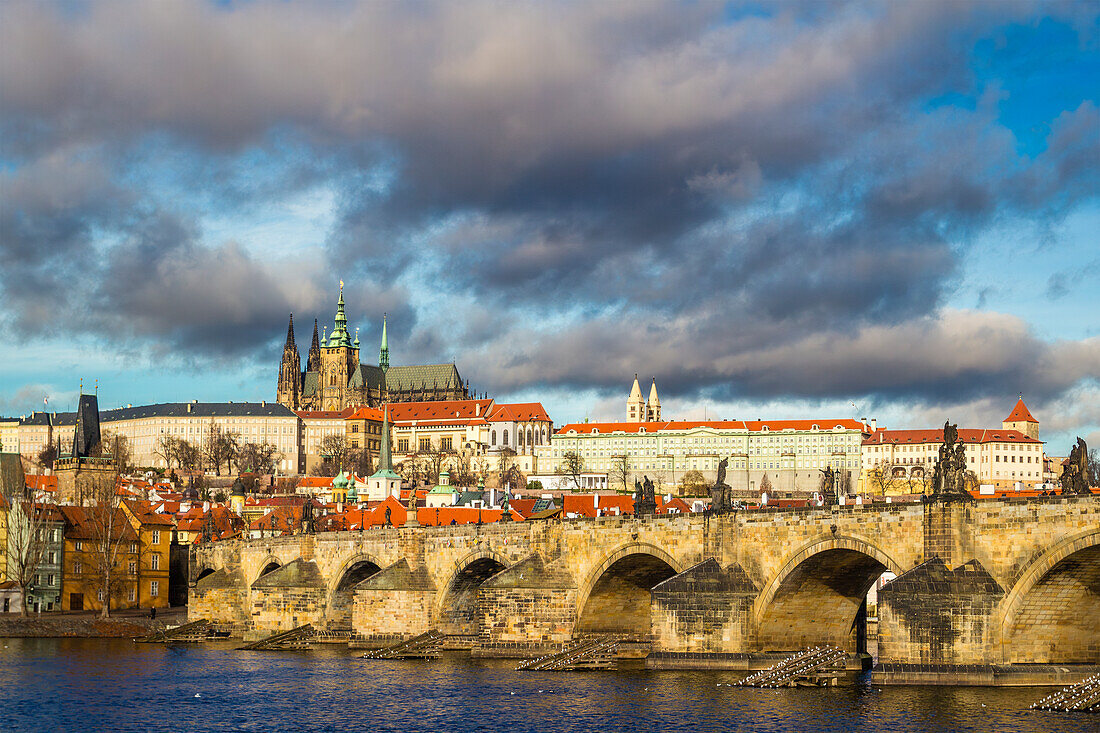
column 107, row 685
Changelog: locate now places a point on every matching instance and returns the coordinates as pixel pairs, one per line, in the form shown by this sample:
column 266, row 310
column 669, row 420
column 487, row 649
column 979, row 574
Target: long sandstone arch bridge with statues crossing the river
column 994, row 583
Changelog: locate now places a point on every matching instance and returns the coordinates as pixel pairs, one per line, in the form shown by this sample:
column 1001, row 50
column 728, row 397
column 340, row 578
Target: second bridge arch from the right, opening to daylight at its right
column 818, row 594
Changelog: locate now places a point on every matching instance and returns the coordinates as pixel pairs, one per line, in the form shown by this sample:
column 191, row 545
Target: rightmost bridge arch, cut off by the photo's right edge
column 1050, row 615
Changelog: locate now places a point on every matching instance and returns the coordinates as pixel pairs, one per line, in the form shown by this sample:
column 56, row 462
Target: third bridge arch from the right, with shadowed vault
column 615, row 596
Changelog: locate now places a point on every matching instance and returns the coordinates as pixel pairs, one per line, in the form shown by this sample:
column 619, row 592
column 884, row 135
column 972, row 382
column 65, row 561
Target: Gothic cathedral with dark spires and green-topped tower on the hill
column 335, row 378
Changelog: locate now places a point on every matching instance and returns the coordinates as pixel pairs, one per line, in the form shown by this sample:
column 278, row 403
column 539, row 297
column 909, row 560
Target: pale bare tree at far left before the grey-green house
column 27, row 531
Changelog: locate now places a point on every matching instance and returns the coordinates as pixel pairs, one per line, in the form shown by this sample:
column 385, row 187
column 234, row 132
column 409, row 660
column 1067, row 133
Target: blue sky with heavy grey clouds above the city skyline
column 837, row 210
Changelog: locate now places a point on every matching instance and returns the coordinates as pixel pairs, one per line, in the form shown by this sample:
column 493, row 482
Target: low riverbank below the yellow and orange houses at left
column 124, row 625
